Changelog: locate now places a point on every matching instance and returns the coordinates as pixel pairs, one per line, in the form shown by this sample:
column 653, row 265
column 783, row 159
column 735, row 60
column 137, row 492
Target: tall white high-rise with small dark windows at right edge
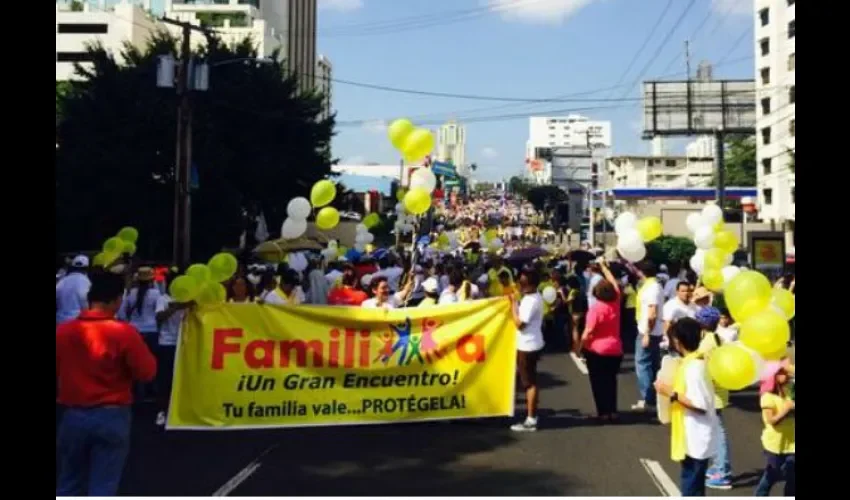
column 775, row 48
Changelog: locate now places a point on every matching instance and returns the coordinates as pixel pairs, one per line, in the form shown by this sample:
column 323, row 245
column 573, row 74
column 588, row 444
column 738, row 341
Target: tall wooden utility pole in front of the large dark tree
column 181, row 250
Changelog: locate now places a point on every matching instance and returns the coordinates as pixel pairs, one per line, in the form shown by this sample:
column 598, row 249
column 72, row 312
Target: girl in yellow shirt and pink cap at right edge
column 777, row 413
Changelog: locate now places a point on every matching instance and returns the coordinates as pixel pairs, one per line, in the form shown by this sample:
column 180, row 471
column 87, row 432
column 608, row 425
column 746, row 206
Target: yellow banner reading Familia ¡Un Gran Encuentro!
column 242, row 366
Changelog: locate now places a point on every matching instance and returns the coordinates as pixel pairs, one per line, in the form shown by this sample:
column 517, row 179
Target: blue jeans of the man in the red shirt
column 92, row 444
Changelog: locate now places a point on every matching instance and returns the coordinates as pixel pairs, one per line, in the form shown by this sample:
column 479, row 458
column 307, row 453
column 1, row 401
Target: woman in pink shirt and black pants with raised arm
column 602, row 346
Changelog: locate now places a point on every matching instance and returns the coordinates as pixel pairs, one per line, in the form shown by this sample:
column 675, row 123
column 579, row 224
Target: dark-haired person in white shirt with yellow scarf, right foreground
column 701, row 427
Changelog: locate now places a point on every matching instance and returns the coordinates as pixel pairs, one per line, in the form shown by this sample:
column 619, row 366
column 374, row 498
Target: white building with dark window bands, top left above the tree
column 110, row 22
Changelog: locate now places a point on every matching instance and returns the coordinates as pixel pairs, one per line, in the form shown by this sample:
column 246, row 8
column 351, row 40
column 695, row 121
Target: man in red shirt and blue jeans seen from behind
column 98, row 358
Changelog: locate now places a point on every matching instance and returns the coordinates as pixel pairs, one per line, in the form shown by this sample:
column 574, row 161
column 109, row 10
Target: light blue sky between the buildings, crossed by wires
column 513, row 48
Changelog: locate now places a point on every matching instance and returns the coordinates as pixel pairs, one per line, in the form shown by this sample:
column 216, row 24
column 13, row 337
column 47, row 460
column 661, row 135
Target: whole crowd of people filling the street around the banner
column 117, row 335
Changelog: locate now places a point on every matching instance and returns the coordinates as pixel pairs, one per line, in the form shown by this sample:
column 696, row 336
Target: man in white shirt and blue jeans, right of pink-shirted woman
column 650, row 333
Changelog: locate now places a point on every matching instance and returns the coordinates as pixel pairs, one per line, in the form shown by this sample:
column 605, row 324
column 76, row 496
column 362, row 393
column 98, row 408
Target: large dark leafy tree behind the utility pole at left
column 256, row 144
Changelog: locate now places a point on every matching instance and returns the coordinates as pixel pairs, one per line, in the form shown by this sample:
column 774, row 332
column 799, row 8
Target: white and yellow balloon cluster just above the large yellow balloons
column 715, row 247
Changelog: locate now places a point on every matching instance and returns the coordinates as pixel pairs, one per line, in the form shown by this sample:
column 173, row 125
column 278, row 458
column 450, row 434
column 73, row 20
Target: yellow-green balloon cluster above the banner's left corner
column 202, row 283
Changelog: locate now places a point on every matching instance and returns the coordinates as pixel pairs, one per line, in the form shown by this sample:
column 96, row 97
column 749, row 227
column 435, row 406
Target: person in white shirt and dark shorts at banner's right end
column 528, row 317
